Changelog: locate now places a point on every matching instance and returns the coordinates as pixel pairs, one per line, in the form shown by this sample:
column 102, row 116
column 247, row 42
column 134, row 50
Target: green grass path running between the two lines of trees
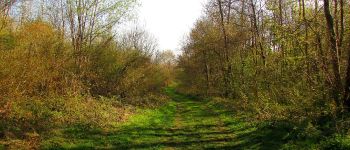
column 185, row 123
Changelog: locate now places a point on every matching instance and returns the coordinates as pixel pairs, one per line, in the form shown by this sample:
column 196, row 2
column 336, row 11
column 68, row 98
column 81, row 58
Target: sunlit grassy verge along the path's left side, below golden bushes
column 120, row 137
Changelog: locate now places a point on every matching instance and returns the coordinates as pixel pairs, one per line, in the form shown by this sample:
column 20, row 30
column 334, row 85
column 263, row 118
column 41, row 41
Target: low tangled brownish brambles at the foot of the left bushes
column 40, row 115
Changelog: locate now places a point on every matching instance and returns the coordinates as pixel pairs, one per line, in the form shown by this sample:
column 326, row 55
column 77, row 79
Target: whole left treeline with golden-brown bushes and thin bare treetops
column 62, row 64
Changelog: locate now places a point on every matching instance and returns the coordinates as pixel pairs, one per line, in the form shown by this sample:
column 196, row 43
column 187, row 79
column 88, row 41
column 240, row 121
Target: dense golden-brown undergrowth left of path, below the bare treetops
column 46, row 84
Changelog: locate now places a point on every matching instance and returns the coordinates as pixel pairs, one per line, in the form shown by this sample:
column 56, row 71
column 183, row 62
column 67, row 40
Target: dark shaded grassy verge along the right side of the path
column 277, row 134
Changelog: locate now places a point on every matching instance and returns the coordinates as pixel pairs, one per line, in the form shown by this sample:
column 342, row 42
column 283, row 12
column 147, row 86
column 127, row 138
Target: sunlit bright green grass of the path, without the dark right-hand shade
column 183, row 123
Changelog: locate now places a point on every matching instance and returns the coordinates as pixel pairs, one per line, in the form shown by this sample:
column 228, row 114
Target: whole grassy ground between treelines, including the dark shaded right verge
column 193, row 123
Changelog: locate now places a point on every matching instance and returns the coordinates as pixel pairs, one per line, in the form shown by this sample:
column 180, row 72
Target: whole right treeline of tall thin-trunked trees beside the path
column 281, row 59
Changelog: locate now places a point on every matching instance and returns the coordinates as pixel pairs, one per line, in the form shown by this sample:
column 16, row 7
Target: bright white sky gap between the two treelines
column 170, row 20
